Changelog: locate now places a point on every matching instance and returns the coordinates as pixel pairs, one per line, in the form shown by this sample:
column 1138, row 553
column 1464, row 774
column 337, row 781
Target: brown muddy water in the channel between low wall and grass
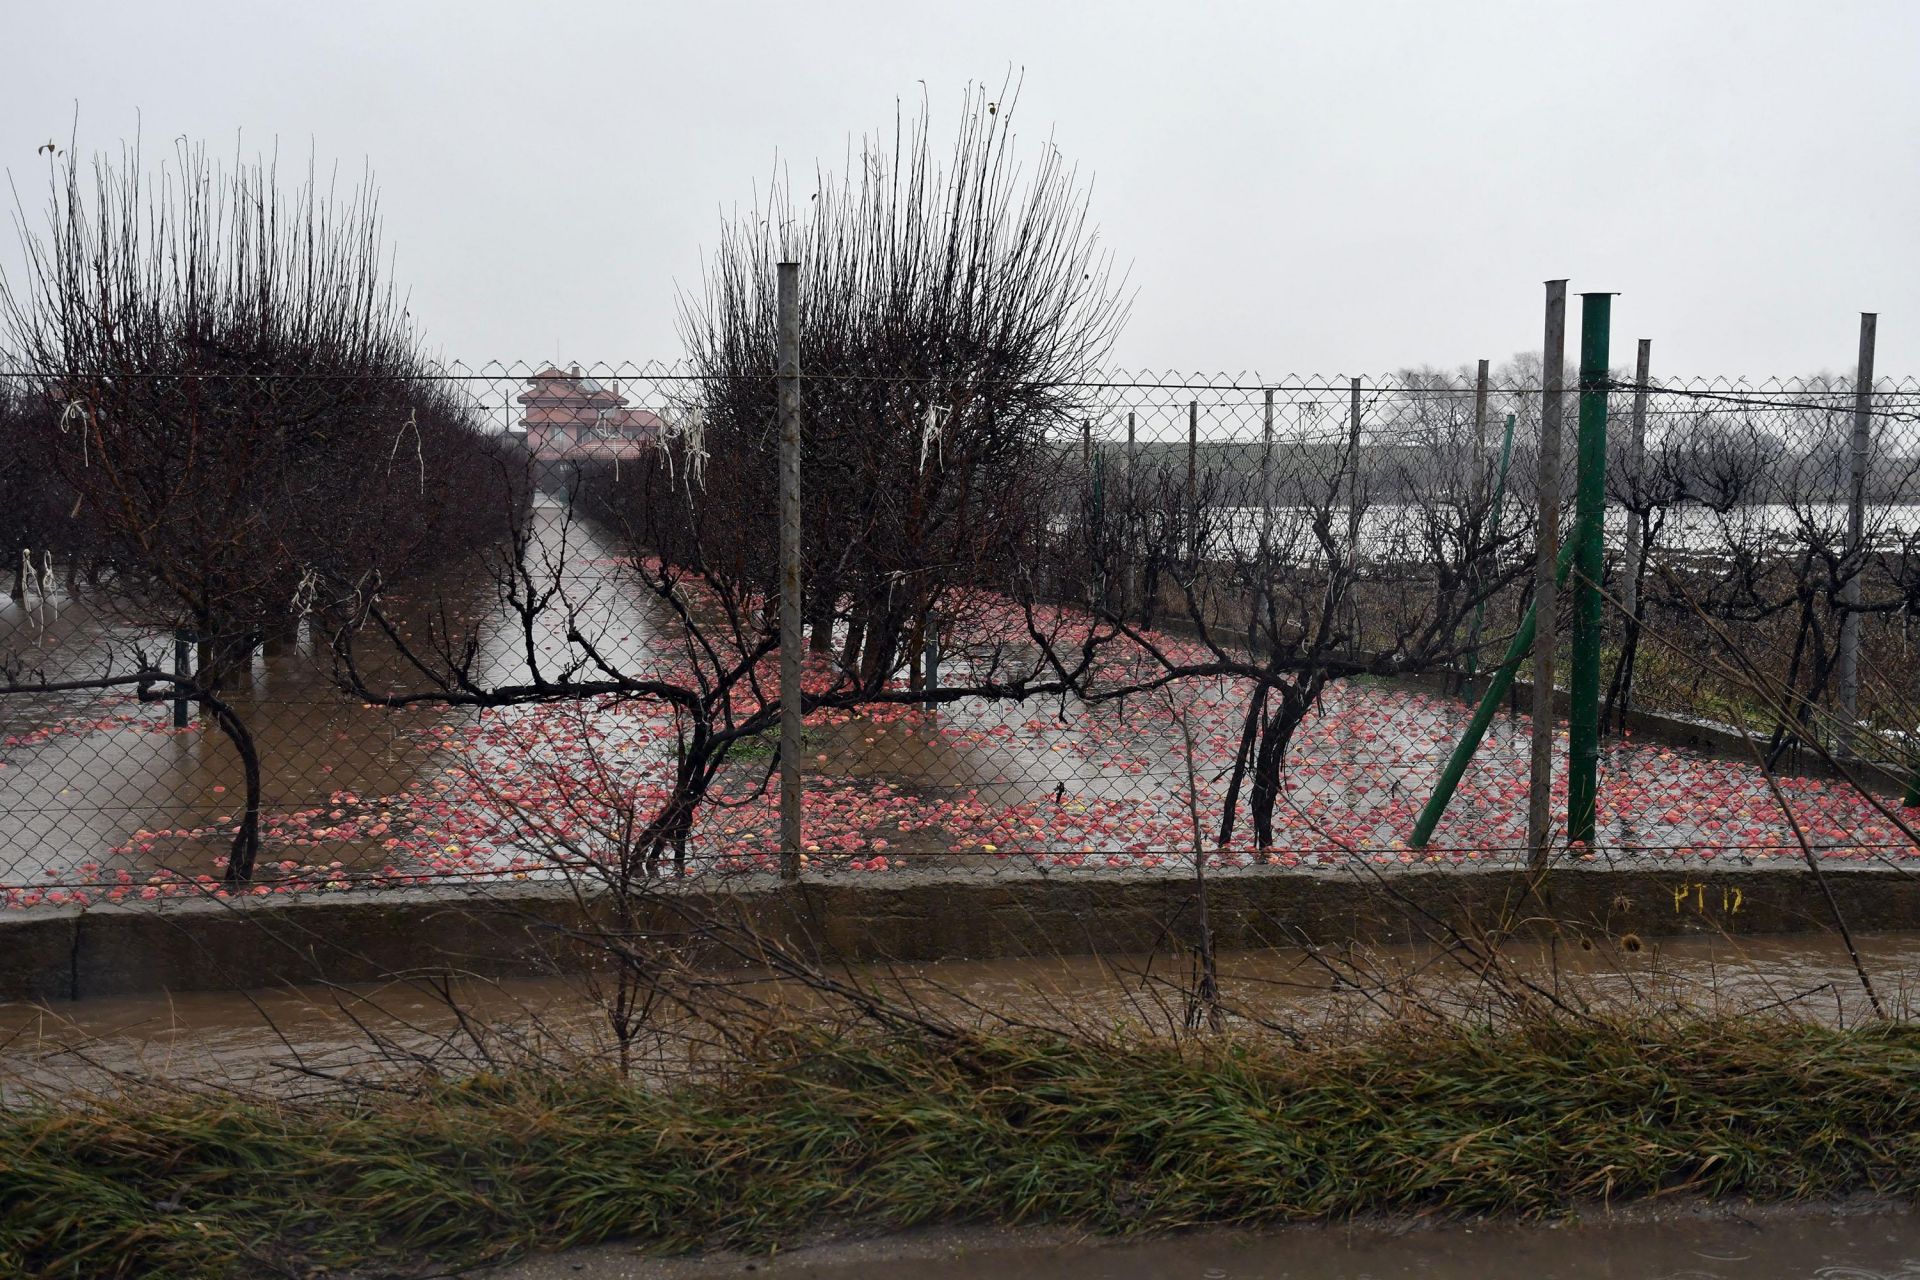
column 306, row 1039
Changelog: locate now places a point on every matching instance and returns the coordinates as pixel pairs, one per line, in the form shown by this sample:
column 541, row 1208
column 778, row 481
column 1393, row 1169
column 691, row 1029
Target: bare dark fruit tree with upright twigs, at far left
column 239, row 392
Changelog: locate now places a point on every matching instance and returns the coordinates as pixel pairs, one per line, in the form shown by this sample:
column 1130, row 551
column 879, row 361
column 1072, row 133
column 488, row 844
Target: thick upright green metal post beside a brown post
column 1589, row 533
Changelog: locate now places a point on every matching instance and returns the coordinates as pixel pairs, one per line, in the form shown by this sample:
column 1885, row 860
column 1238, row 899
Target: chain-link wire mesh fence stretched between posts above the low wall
column 508, row 623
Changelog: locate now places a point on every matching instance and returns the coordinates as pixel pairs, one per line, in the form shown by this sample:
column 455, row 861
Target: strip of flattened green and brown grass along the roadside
column 1115, row 1137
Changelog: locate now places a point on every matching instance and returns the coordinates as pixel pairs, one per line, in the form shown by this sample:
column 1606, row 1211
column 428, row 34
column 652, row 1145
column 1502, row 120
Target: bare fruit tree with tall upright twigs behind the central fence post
column 951, row 306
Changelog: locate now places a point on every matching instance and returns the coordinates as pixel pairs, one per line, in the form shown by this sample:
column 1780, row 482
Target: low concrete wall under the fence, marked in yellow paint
column 66, row 955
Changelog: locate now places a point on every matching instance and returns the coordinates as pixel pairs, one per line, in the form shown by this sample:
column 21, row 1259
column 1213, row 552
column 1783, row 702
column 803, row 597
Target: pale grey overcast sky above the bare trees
column 1312, row 189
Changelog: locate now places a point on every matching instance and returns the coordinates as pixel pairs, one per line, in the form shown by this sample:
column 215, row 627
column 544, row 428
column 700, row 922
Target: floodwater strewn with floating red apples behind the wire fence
column 105, row 799
